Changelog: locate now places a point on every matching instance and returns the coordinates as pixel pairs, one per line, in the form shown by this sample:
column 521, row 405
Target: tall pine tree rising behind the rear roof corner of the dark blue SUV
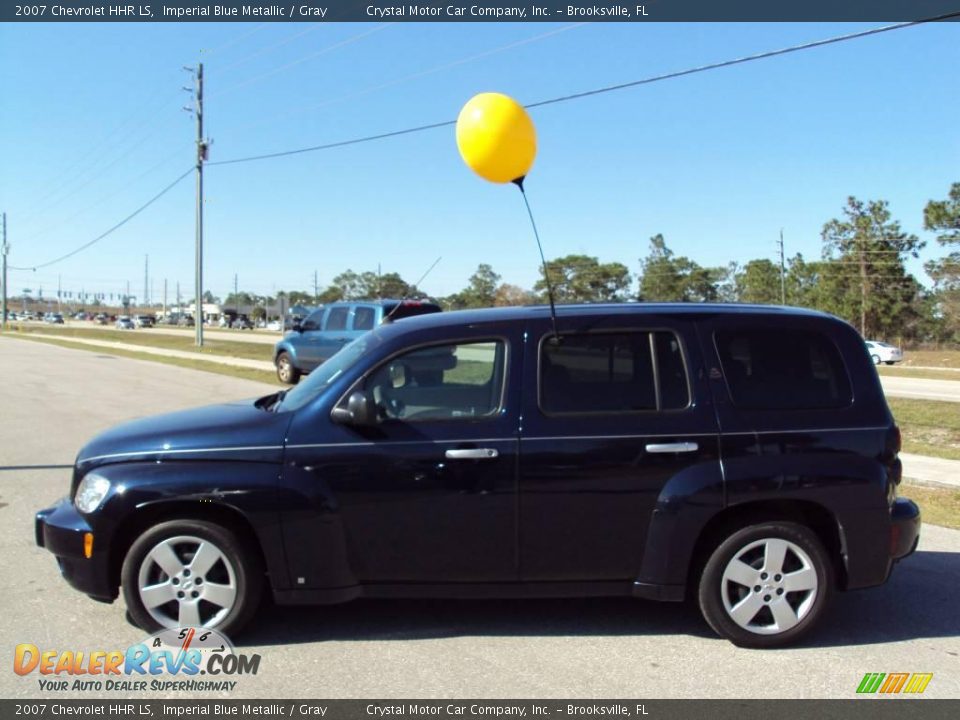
column 867, row 250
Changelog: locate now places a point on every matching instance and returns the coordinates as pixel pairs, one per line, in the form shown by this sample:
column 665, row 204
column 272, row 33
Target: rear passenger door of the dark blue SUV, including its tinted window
column 621, row 409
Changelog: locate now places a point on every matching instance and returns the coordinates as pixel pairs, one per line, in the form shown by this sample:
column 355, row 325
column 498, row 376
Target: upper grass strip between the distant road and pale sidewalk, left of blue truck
column 229, row 348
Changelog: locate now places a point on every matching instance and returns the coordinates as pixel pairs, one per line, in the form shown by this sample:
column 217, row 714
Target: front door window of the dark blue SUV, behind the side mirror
column 440, row 382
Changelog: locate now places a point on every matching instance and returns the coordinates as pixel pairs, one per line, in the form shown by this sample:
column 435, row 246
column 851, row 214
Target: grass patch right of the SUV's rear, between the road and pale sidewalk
column 929, row 427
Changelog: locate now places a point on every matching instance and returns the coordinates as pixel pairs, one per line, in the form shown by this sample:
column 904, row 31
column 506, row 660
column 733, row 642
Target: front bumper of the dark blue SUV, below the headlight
column 60, row 529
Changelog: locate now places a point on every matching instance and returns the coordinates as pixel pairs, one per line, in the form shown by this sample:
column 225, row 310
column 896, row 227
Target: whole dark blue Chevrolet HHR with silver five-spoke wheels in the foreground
column 740, row 456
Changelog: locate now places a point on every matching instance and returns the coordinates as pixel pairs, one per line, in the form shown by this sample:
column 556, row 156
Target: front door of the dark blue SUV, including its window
column 429, row 494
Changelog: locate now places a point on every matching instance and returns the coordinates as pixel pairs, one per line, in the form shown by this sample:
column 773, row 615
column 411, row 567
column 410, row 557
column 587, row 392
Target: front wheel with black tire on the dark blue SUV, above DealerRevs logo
column 239, row 568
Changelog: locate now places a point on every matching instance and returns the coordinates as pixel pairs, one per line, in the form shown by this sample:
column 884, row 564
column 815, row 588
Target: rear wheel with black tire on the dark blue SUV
column 759, row 629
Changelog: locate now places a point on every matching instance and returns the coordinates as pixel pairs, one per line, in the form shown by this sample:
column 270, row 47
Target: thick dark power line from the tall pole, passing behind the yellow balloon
column 606, row 89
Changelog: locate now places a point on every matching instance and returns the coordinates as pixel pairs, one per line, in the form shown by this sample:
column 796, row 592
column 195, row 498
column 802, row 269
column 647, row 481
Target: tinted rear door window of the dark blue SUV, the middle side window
column 613, row 373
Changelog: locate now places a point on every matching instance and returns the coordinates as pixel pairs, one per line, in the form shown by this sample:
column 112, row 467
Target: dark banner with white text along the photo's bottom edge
column 866, row 709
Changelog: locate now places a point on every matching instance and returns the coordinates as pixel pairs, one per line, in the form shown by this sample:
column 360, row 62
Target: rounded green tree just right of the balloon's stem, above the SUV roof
column 581, row 278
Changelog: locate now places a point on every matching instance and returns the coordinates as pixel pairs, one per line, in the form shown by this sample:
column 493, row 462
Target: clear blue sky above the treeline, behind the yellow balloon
column 92, row 127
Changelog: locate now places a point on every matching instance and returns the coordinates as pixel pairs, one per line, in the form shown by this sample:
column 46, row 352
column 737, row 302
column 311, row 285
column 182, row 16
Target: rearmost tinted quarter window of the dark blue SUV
column 774, row 369
